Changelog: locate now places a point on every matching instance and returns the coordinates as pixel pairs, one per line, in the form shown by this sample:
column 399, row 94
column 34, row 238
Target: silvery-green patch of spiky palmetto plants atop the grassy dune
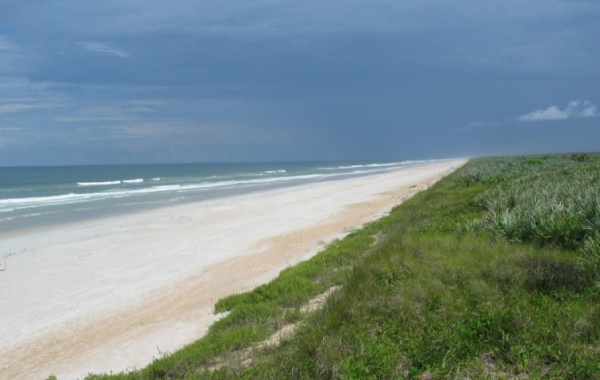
column 557, row 202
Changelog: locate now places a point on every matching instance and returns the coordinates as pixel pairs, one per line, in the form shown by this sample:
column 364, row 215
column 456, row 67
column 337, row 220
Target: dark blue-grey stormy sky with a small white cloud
column 150, row 81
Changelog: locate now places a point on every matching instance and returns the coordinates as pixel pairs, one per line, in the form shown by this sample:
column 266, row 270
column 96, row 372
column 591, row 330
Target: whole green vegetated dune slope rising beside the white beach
column 492, row 273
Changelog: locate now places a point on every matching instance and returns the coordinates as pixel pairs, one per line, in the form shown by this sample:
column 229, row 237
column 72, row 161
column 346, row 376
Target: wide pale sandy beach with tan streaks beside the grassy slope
column 114, row 293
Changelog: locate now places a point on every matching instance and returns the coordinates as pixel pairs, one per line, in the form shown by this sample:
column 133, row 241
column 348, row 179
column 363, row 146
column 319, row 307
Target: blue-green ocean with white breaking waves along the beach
column 32, row 197
